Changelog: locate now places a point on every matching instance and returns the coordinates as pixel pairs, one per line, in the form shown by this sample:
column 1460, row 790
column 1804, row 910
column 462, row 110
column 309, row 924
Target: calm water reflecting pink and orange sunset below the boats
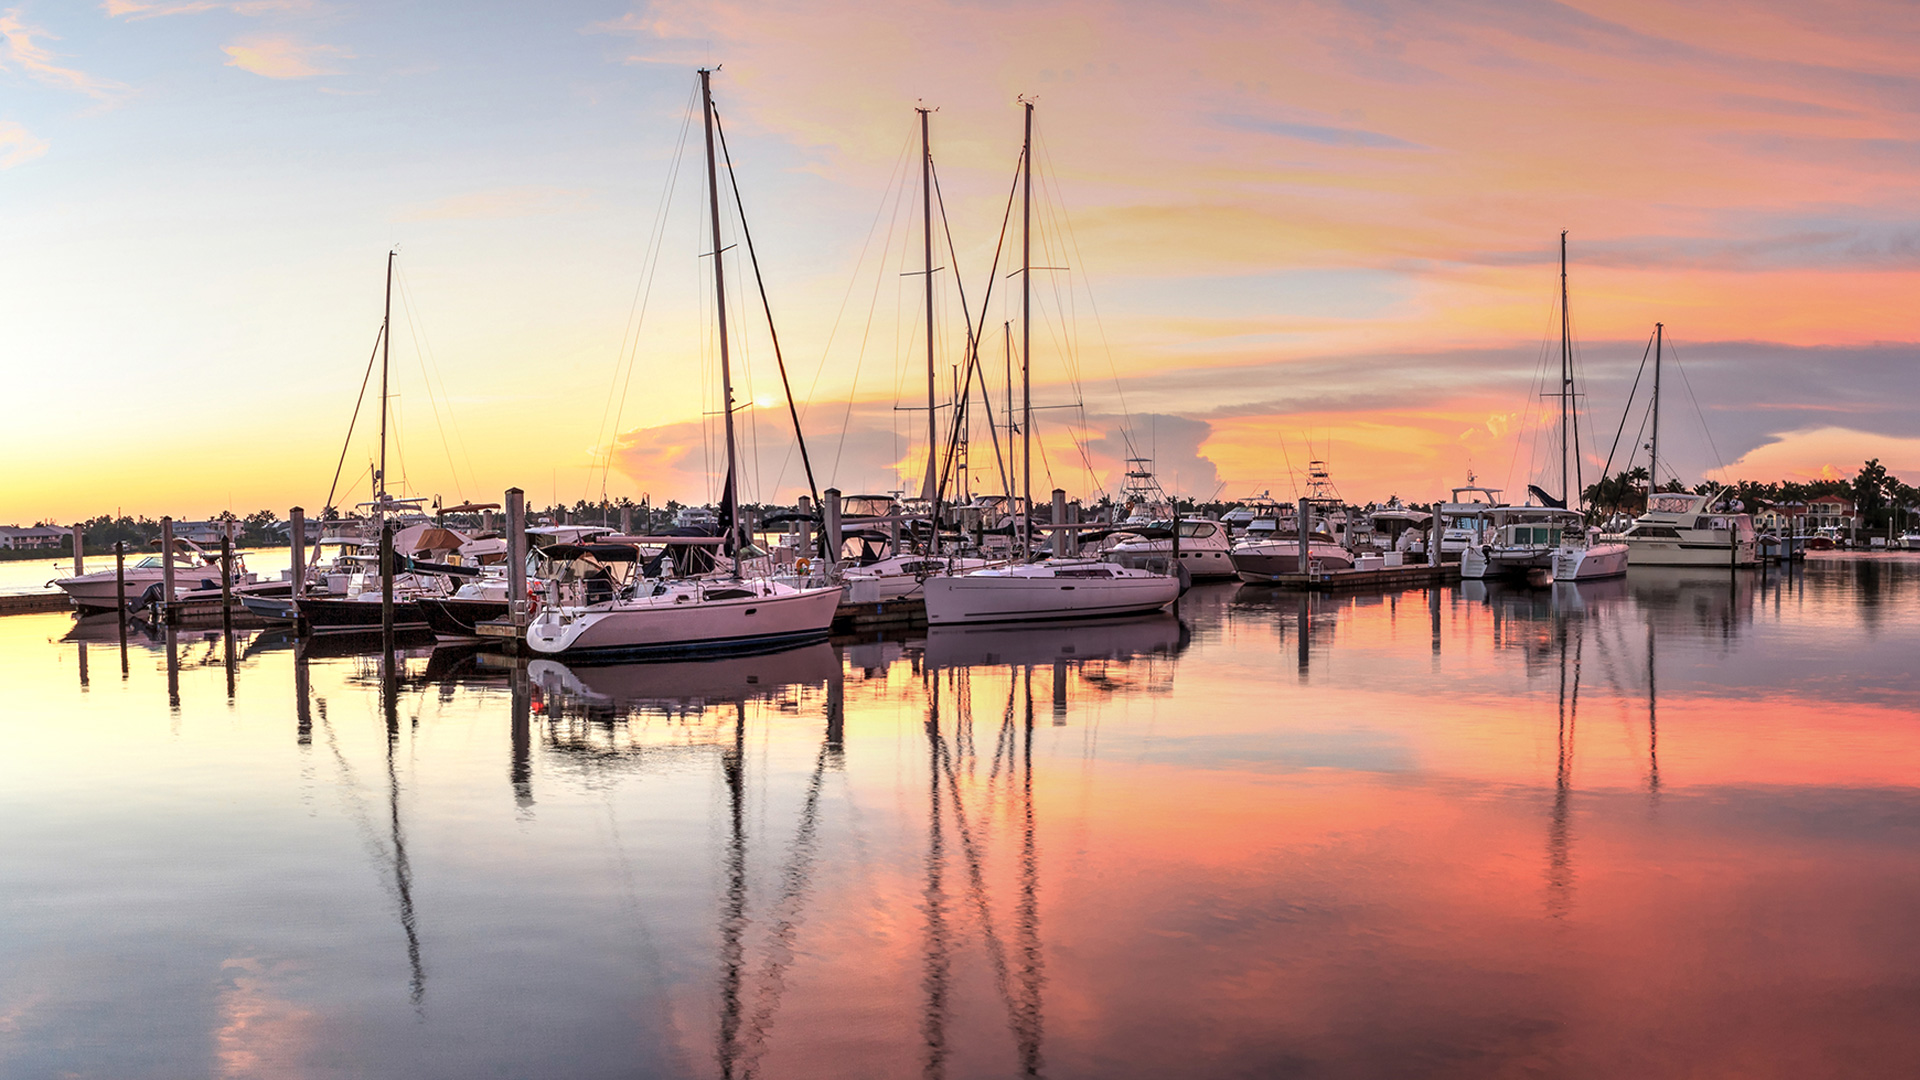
column 1662, row 827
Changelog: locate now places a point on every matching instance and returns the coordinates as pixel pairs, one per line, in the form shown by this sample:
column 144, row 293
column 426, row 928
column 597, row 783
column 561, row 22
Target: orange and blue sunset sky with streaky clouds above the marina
column 1293, row 232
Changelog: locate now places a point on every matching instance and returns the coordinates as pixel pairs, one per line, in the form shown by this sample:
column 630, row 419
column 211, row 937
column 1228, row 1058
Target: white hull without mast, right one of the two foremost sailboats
column 1051, row 589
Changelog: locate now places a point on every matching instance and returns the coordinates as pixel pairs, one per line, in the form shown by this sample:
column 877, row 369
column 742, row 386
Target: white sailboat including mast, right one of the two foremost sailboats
column 1049, row 589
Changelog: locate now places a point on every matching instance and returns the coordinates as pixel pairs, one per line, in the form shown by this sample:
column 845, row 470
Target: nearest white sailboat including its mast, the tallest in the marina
column 694, row 616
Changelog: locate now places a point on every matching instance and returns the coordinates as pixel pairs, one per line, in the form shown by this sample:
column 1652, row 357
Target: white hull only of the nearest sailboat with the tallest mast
column 769, row 618
